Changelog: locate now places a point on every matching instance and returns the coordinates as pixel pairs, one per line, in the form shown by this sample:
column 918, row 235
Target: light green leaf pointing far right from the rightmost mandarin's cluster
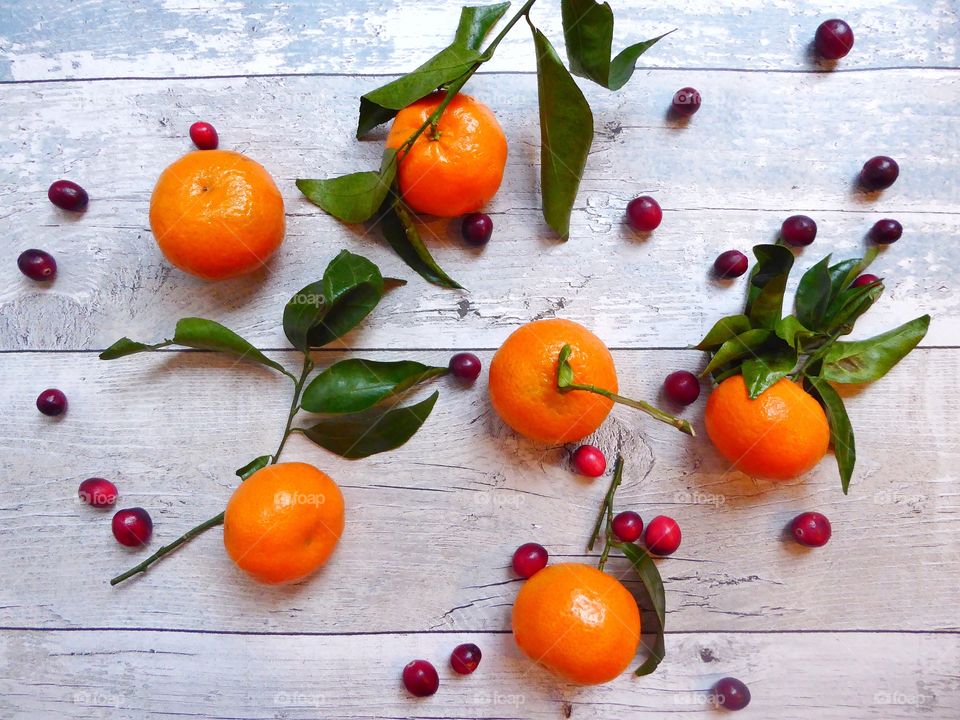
column 866, row 360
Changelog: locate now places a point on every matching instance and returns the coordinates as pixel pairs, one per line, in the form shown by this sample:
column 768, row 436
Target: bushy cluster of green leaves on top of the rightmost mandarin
column 765, row 347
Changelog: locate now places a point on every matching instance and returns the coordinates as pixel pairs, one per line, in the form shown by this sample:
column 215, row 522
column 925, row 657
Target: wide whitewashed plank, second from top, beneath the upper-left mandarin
column 777, row 146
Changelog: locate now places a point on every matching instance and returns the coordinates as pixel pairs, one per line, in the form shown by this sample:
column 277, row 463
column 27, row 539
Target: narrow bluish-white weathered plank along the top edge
column 47, row 39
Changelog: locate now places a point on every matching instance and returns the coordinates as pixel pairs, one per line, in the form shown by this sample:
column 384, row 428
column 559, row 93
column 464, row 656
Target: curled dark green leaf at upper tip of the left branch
column 324, row 310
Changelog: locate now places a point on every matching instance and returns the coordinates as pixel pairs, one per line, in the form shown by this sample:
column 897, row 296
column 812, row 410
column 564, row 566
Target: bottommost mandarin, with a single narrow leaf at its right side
column 578, row 622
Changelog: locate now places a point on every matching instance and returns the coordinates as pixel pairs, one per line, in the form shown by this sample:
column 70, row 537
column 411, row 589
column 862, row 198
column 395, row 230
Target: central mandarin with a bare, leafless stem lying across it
column 523, row 381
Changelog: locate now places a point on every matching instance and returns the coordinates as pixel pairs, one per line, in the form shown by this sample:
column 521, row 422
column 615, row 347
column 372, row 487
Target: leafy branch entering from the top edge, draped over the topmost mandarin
column 566, row 120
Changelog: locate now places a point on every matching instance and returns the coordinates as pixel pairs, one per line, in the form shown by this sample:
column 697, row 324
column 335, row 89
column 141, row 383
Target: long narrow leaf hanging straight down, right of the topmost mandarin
column 566, row 133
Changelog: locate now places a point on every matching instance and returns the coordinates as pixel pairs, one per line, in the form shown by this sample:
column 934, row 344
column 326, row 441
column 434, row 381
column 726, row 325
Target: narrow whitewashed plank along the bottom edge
column 157, row 674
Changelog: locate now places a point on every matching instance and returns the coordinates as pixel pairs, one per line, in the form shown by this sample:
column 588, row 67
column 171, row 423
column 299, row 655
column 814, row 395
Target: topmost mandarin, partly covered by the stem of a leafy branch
column 460, row 171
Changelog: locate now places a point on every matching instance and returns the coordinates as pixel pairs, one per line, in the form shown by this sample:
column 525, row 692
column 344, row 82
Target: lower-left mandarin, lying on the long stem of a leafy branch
column 283, row 522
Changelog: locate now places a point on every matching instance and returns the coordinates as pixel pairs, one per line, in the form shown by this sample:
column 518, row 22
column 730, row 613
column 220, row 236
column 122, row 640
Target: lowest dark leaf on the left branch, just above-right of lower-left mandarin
column 374, row 431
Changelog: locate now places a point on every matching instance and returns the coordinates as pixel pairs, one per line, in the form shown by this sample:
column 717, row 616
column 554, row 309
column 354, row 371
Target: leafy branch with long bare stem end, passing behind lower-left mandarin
column 348, row 392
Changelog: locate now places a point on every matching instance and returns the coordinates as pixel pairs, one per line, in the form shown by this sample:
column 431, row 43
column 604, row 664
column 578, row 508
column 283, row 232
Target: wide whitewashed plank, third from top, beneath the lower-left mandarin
column 431, row 527
